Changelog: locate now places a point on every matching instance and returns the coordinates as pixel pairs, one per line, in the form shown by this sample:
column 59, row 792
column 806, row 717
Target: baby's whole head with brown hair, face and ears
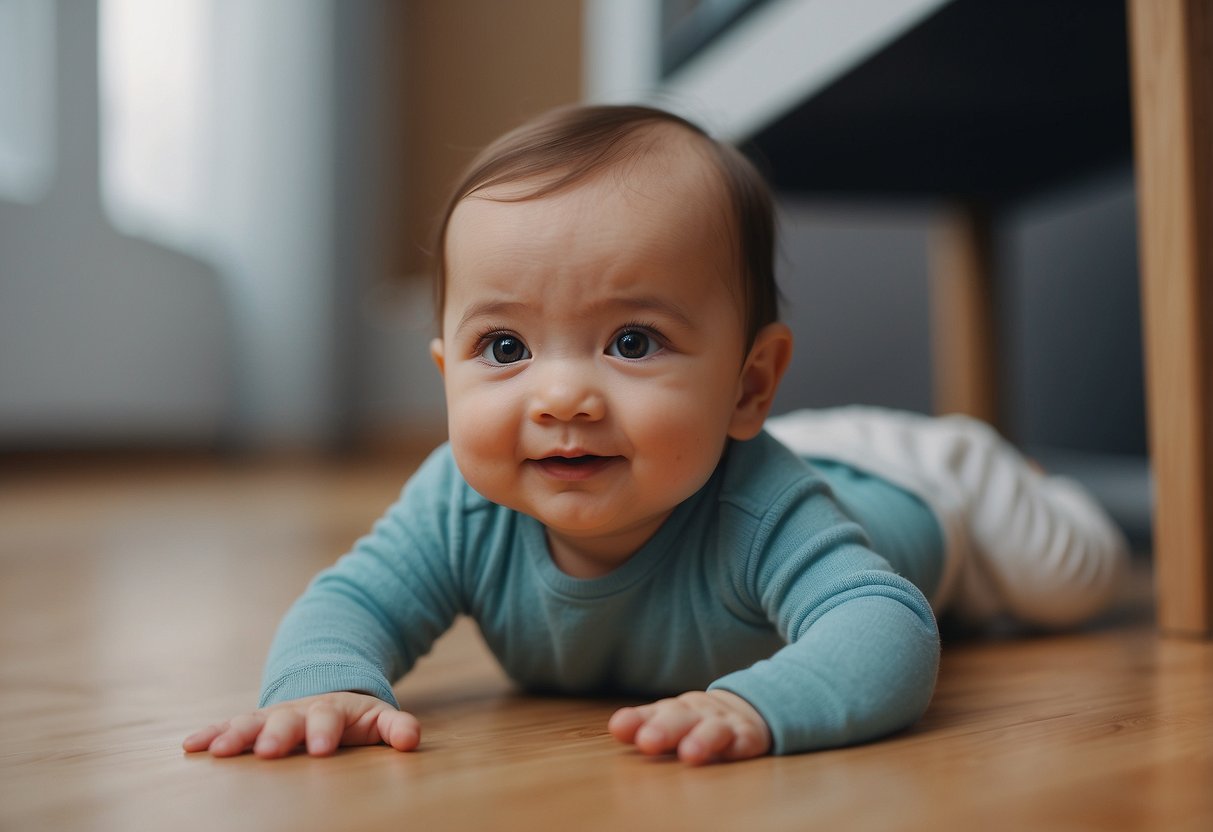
column 608, row 320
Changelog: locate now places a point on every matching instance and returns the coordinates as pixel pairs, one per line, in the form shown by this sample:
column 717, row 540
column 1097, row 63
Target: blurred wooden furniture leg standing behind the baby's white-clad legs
column 964, row 340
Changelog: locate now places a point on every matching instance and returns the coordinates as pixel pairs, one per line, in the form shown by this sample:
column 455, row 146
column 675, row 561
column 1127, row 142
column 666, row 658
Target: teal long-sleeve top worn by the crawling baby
column 765, row 584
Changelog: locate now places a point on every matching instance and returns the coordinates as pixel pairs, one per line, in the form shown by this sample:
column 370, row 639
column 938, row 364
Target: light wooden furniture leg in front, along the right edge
column 1172, row 60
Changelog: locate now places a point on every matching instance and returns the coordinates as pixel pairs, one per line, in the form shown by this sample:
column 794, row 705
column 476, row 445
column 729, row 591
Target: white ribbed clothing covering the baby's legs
column 1018, row 543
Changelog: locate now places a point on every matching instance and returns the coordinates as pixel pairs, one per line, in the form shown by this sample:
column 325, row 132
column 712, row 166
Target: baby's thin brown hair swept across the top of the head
column 565, row 146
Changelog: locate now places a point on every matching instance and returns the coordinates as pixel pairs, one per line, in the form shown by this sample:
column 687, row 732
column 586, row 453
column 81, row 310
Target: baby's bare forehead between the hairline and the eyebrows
column 659, row 209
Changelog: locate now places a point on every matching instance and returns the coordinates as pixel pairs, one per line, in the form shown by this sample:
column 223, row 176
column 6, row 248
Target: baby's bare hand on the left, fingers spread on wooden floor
column 323, row 722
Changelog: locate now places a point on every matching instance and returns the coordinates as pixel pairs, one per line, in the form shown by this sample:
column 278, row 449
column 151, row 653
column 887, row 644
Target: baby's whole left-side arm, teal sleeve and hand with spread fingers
column 358, row 628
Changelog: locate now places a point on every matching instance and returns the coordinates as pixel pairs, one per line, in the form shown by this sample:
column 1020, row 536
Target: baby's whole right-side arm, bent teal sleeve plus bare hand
column 861, row 662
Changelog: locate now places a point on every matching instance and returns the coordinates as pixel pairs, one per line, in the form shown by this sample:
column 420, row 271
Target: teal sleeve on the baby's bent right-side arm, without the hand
column 863, row 646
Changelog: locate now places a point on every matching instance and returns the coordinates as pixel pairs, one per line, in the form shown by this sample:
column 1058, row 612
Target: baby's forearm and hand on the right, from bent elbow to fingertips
column 862, row 671
